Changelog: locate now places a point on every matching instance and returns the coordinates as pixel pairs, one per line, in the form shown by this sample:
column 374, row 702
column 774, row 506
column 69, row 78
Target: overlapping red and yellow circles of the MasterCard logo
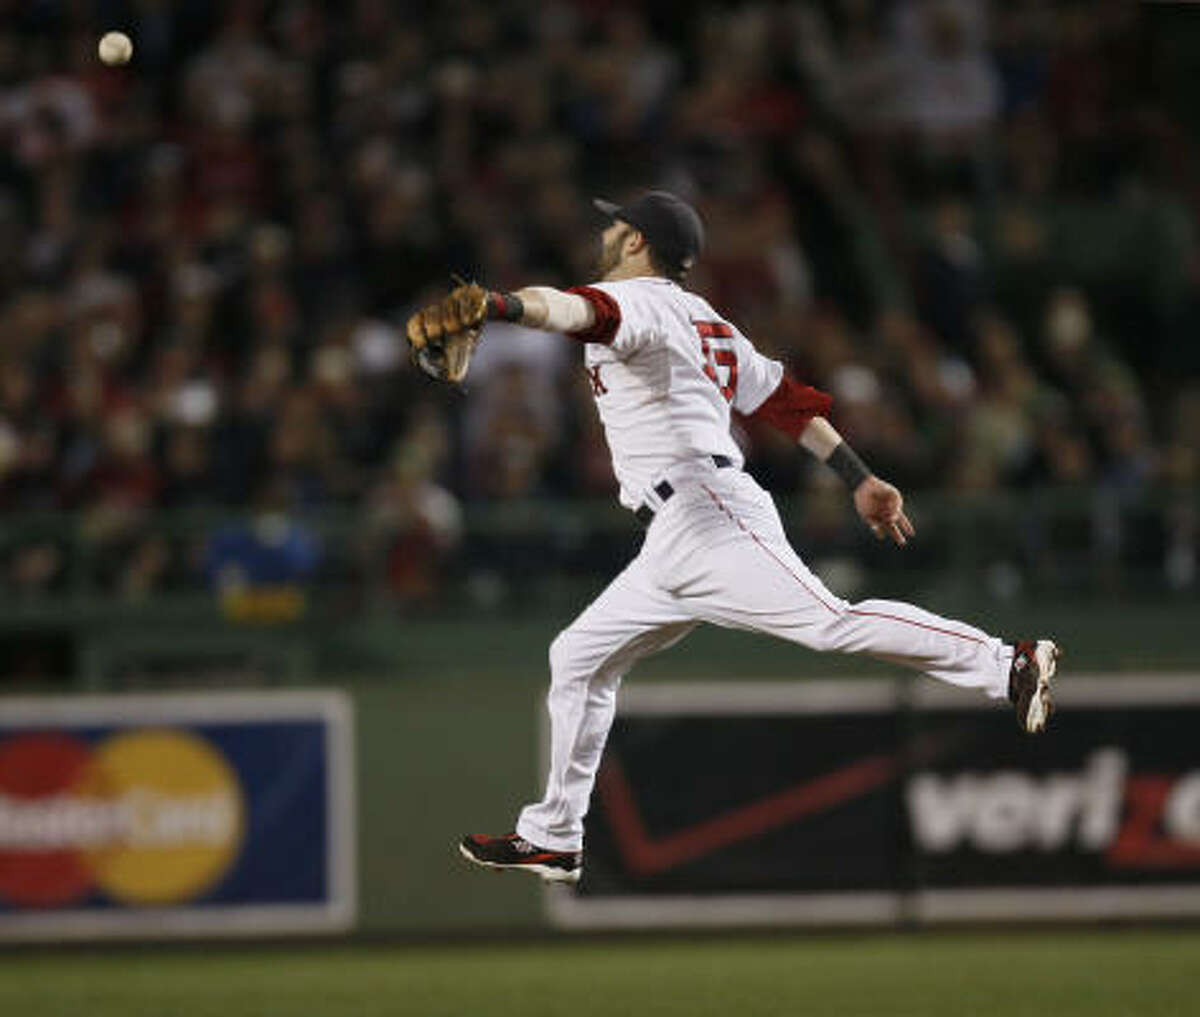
column 146, row 817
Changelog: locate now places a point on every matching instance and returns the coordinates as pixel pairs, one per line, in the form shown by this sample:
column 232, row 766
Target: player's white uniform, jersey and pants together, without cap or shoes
column 667, row 370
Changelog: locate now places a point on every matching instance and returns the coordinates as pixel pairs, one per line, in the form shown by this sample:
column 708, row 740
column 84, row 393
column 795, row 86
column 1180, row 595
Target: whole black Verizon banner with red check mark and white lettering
column 877, row 802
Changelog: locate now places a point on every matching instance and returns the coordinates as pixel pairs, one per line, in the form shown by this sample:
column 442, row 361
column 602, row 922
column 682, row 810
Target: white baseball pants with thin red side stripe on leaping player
column 717, row 552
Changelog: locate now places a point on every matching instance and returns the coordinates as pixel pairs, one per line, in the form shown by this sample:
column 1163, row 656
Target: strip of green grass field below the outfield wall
column 1131, row 973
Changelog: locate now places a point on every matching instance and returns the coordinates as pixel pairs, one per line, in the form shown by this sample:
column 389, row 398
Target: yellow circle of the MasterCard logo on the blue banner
column 173, row 815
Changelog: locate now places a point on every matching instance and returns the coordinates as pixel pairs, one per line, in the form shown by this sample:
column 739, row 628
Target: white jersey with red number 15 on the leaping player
column 668, row 381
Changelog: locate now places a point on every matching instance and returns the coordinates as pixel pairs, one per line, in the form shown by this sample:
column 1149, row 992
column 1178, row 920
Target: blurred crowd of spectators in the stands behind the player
column 974, row 224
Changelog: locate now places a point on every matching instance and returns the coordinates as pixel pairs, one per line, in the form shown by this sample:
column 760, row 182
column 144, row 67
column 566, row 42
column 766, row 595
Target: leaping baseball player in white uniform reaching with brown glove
column 667, row 371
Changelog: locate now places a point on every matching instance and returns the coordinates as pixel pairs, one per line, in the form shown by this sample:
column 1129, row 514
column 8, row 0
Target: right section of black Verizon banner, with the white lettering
column 1100, row 819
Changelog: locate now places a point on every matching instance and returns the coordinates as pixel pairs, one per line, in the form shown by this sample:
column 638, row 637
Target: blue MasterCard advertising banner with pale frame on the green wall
column 189, row 815
